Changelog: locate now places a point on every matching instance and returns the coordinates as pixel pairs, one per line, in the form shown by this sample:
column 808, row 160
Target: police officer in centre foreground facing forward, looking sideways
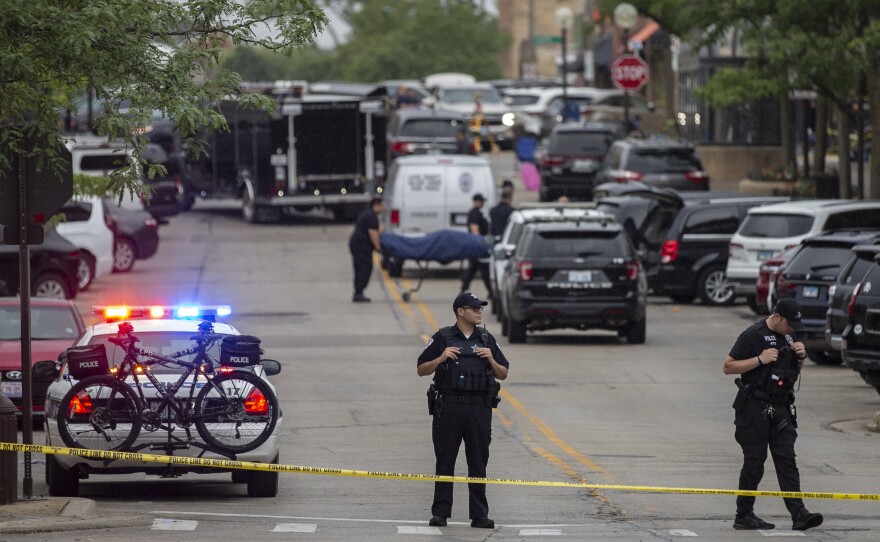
column 466, row 363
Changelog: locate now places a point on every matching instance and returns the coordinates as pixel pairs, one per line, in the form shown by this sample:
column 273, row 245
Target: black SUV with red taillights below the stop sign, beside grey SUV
column 572, row 157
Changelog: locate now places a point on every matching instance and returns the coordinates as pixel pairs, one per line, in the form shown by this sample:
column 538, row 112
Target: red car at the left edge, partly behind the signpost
column 54, row 326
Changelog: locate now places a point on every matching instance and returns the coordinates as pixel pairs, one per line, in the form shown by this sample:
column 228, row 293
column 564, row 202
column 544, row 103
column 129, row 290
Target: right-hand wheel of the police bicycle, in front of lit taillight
column 236, row 412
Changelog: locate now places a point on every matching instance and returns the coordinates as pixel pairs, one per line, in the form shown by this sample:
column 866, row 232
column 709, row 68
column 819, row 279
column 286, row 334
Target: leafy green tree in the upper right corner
column 828, row 46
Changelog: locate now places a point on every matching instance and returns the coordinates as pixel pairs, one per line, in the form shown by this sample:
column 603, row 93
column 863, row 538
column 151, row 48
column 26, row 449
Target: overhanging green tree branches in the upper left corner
column 156, row 55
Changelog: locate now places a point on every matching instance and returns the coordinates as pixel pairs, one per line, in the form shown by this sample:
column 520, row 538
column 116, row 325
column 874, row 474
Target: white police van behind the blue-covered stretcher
column 428, row 193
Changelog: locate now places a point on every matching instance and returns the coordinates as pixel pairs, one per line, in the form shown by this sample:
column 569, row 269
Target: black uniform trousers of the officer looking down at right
column 755, row 432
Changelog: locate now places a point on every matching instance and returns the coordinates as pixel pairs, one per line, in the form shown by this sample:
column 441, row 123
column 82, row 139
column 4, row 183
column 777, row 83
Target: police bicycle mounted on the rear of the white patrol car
column 233, row 410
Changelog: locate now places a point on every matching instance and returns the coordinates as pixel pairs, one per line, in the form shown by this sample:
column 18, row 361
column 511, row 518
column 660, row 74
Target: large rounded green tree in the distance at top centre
column 408, row 39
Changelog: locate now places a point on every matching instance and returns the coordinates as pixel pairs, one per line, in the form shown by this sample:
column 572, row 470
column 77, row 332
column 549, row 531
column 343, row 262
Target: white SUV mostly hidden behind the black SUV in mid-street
column 505, row 246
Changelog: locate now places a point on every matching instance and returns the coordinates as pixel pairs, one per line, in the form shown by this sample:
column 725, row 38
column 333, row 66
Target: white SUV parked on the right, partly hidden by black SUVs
column 771, row 229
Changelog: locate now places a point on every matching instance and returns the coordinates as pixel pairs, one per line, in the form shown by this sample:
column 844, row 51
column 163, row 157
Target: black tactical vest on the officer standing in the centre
column 469, row 374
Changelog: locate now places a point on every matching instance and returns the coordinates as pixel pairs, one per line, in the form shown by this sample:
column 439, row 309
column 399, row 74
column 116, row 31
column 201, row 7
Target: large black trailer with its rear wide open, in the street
column 315, row 151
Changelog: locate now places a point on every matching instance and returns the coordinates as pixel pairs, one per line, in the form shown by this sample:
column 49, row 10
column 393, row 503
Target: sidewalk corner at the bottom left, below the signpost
column 54, row 514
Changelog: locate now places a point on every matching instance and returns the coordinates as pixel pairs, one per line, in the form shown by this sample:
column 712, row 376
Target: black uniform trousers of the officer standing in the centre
column 473, row 424
